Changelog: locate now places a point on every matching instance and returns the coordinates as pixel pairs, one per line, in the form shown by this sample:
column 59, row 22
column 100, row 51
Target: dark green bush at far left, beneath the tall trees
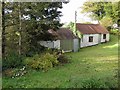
column 12, row 60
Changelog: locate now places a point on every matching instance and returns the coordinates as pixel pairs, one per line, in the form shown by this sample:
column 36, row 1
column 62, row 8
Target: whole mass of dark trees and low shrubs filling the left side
column 24, row 25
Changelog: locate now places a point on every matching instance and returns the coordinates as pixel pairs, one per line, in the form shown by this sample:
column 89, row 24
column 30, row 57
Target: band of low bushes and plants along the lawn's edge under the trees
column 49, row 58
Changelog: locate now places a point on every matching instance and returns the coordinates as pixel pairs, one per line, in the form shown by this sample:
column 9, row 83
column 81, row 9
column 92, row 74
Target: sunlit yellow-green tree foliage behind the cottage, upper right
column 101, row 10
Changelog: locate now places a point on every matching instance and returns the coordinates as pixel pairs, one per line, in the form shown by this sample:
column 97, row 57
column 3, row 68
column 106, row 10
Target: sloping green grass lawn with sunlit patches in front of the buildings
column 94, row 66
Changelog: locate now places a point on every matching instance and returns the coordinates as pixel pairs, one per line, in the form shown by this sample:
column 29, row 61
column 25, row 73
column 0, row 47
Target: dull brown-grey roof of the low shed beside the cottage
column 63, row 33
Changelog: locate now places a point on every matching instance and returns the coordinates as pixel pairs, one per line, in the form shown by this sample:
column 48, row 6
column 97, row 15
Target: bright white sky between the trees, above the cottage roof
column 69, row 9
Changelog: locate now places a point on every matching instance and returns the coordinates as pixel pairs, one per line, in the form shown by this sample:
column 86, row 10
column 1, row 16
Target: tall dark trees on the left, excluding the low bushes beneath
column 35, row 20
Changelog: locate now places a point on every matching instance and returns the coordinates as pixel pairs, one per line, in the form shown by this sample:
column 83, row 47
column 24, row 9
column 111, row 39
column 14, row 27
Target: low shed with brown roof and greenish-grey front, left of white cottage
column 66, row 40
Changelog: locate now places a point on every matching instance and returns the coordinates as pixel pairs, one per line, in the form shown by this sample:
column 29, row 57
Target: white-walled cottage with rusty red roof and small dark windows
column 92, row 34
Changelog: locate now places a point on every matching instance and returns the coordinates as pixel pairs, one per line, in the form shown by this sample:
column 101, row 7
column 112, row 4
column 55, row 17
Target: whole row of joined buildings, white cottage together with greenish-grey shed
column 92, row 34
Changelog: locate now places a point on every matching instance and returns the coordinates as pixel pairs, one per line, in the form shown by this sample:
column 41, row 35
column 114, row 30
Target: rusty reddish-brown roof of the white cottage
column 91, row 28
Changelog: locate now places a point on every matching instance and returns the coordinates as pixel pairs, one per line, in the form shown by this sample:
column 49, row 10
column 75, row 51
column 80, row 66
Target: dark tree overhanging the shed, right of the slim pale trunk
column 42, row 16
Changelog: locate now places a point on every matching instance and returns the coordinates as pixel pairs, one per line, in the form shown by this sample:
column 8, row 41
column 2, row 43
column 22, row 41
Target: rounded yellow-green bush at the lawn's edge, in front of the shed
column 42, row 62
